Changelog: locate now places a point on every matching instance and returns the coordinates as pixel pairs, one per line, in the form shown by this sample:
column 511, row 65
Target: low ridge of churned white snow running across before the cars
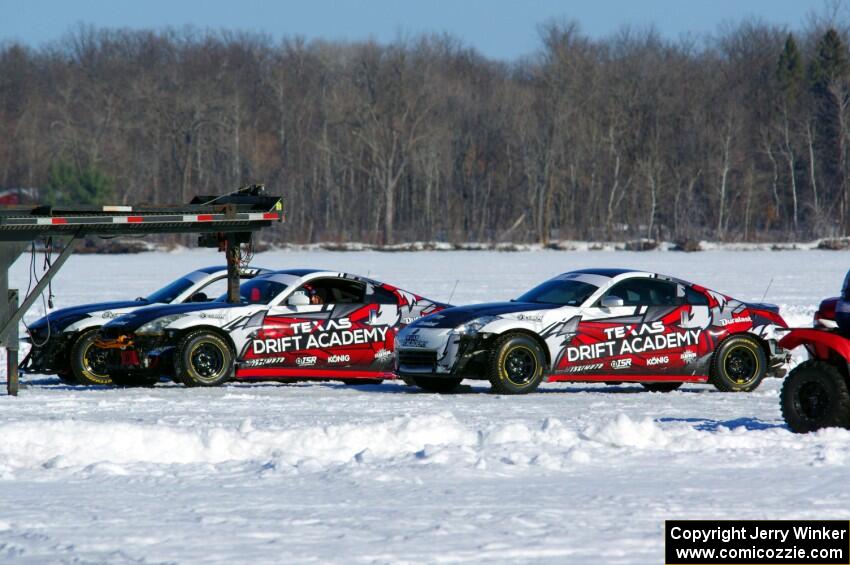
column 113, row 448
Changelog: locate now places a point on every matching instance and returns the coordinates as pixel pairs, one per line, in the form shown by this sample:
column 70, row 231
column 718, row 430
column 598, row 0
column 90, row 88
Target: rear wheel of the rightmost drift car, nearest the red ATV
column 738, row 365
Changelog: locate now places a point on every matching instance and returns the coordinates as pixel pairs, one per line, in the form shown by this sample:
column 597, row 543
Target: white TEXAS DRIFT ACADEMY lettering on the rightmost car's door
column 630, row 340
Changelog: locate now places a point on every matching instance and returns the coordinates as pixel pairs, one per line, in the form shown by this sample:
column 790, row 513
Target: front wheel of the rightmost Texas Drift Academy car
column 517, row 364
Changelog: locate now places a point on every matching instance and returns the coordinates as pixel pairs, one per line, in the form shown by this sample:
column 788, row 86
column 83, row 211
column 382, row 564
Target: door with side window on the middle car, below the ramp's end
column 327, row 324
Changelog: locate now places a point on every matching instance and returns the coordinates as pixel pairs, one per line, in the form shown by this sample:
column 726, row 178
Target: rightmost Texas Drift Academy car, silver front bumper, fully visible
column 608, row 325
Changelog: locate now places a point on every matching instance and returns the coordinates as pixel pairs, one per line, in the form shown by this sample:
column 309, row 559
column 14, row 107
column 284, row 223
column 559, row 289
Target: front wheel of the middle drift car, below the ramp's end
column 204, row 358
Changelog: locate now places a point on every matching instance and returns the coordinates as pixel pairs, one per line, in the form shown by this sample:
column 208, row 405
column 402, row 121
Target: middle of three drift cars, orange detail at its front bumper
column 296, row 323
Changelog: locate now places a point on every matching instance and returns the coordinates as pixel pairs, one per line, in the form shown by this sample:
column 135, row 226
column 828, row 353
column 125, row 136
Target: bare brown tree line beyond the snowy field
column 741, row 135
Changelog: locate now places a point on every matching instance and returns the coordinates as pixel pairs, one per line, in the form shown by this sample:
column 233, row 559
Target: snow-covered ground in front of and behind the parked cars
column 322, row 472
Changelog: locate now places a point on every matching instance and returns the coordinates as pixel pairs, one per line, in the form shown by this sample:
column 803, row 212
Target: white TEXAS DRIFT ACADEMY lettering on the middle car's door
column 320, row 334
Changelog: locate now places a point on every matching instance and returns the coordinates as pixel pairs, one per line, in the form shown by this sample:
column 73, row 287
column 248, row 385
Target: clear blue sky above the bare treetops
column 501, row 29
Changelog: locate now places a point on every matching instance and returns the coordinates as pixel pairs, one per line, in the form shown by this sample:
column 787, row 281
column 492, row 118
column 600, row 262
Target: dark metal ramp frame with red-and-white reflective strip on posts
column 225, row 221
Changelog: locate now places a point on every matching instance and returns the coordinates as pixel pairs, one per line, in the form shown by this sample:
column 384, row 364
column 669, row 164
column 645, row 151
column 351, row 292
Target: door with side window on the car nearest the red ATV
column 640, row 325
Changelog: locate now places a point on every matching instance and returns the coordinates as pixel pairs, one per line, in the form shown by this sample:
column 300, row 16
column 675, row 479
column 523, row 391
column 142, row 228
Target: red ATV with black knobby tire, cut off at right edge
column 816, row 393
